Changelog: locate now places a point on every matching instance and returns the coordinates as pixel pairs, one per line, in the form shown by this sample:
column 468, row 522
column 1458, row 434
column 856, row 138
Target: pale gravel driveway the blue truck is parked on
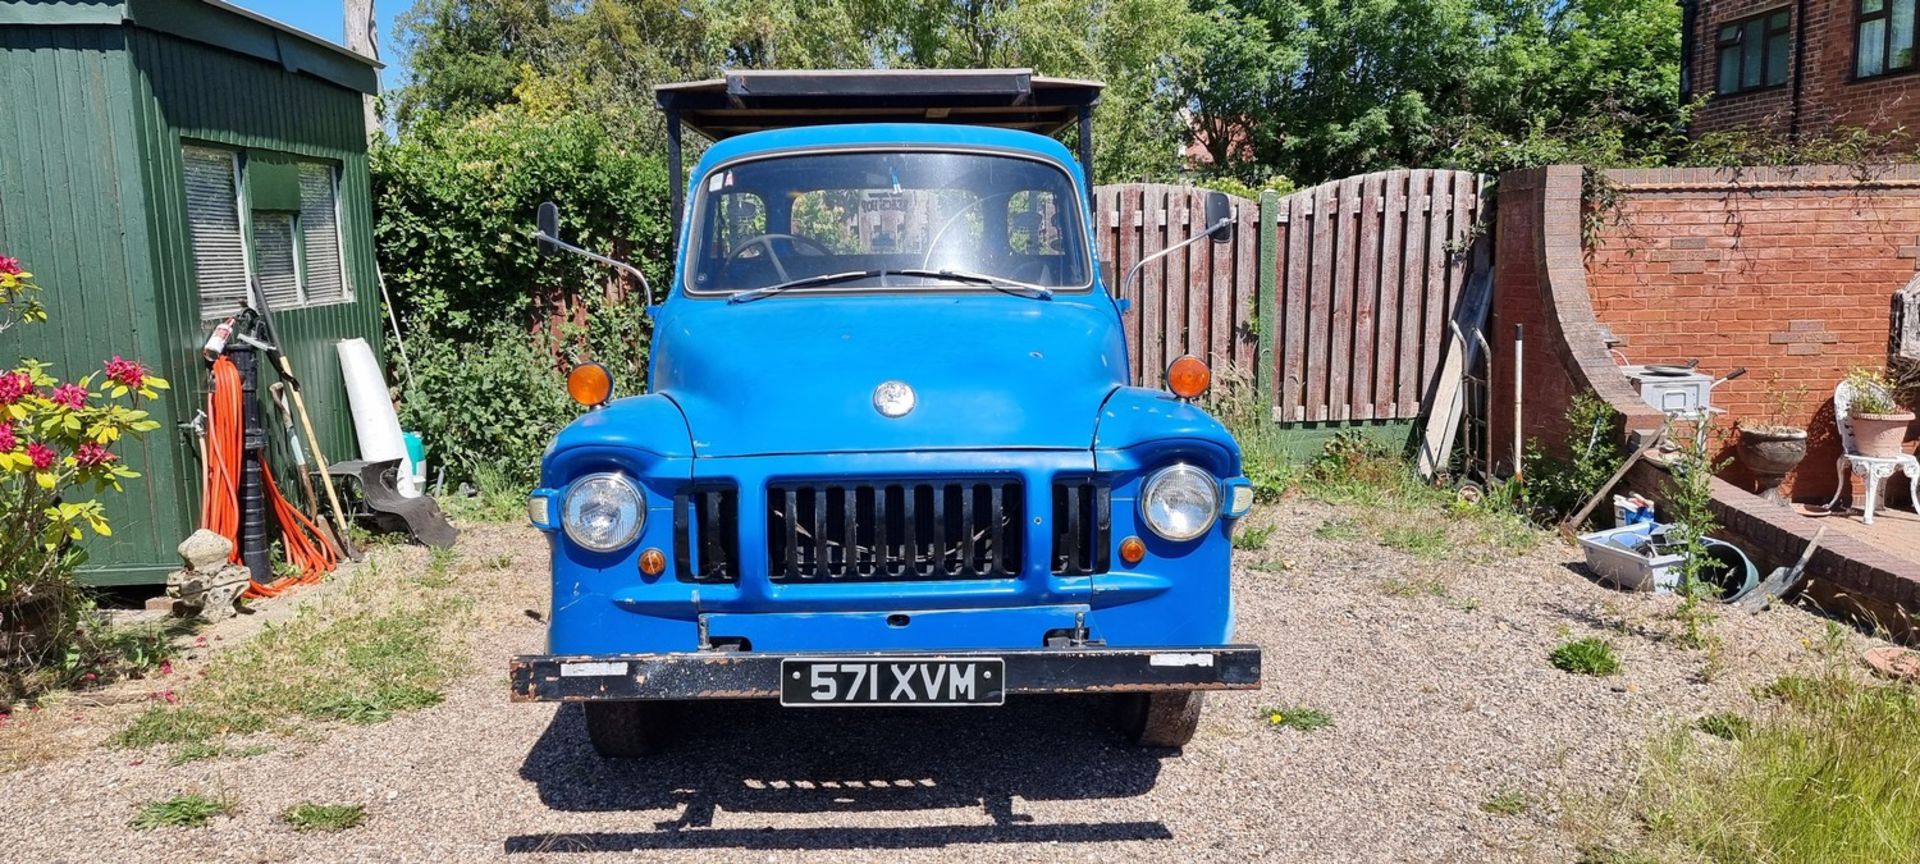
column 1439, row 690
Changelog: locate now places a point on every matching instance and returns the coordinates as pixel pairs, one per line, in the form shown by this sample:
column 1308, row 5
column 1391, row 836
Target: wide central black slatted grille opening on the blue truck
column 894, row 531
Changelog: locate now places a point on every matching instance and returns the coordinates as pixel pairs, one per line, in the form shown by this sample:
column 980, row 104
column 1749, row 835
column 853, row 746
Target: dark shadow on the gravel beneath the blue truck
column 759, row 759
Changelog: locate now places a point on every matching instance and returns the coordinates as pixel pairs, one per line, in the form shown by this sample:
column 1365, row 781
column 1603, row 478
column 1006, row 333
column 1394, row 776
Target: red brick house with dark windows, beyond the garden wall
column 1802, row 66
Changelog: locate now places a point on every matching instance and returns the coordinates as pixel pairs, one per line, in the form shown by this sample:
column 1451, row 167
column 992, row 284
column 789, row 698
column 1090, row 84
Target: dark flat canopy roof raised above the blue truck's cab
column 754, row 101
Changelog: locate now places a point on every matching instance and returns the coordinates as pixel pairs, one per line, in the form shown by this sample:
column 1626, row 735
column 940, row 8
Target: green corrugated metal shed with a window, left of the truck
column 97, row 101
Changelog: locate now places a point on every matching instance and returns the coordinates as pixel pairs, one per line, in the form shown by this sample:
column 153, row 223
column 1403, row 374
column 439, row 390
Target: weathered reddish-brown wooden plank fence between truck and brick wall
column 1335, row 299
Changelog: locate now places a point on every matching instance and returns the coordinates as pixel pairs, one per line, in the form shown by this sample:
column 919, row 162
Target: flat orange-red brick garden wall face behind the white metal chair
column 1788, row 274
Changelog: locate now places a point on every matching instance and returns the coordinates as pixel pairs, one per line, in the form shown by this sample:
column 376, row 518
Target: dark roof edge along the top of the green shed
column 212, row 22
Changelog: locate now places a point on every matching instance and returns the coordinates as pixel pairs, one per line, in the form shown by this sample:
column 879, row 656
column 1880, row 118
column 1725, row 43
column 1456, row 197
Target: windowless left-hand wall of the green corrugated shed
column 72, row 208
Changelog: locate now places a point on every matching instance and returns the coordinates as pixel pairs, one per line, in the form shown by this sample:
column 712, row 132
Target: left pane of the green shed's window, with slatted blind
column 214, row 228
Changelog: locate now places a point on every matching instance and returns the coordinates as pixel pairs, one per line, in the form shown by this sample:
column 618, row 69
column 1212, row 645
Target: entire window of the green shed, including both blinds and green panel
column 270, row 218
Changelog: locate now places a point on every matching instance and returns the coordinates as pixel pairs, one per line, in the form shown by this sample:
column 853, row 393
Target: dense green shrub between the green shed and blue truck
column 491, row 324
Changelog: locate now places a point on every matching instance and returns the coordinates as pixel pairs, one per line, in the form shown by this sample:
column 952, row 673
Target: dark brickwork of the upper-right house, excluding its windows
column 1823, row 66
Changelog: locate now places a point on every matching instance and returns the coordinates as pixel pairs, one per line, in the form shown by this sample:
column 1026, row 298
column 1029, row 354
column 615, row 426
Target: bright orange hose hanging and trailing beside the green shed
column 220, row 508
